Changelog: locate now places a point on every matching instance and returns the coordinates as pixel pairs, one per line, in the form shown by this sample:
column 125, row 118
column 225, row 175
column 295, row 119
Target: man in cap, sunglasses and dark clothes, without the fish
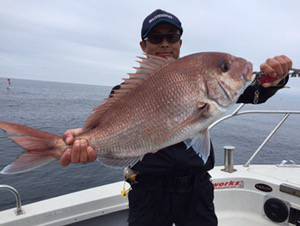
column 172, row 185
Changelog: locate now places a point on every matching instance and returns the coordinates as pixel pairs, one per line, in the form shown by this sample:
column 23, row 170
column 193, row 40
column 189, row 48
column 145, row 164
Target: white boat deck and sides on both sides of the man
column 237, row 200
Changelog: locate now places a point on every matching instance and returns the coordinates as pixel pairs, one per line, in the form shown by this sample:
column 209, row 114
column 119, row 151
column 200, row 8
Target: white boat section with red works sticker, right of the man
column 243, row 203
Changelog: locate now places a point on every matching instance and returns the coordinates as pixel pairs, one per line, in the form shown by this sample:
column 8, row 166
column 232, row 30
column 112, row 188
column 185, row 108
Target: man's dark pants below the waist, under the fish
column 185, row 201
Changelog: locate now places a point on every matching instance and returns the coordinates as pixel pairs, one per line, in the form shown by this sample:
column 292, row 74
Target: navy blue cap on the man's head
column 158, row 17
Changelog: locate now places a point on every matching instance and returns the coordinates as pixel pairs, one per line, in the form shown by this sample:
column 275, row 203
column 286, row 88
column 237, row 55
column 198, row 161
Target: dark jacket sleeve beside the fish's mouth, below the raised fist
column 257, row 94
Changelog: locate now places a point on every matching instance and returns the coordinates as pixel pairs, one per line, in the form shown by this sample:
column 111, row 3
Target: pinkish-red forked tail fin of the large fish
column 41, row 147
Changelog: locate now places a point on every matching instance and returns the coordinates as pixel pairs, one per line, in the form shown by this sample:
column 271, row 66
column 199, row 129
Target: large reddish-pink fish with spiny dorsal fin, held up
column 165, row 102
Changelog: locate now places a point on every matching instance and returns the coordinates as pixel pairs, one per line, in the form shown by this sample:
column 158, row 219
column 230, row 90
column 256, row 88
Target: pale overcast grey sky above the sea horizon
column 97, row 41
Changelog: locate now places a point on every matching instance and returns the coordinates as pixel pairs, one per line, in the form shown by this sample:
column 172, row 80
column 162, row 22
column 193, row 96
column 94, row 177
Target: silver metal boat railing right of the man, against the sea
column 238, row 112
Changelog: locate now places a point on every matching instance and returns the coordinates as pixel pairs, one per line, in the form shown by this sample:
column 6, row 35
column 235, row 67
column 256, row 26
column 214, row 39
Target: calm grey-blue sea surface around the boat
column 56, row 107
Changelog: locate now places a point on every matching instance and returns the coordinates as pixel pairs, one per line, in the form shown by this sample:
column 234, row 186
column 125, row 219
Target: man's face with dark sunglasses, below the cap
column 165, row 35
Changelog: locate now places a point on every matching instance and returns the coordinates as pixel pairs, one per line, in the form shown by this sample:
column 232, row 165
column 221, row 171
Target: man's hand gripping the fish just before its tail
column 80, row 152
